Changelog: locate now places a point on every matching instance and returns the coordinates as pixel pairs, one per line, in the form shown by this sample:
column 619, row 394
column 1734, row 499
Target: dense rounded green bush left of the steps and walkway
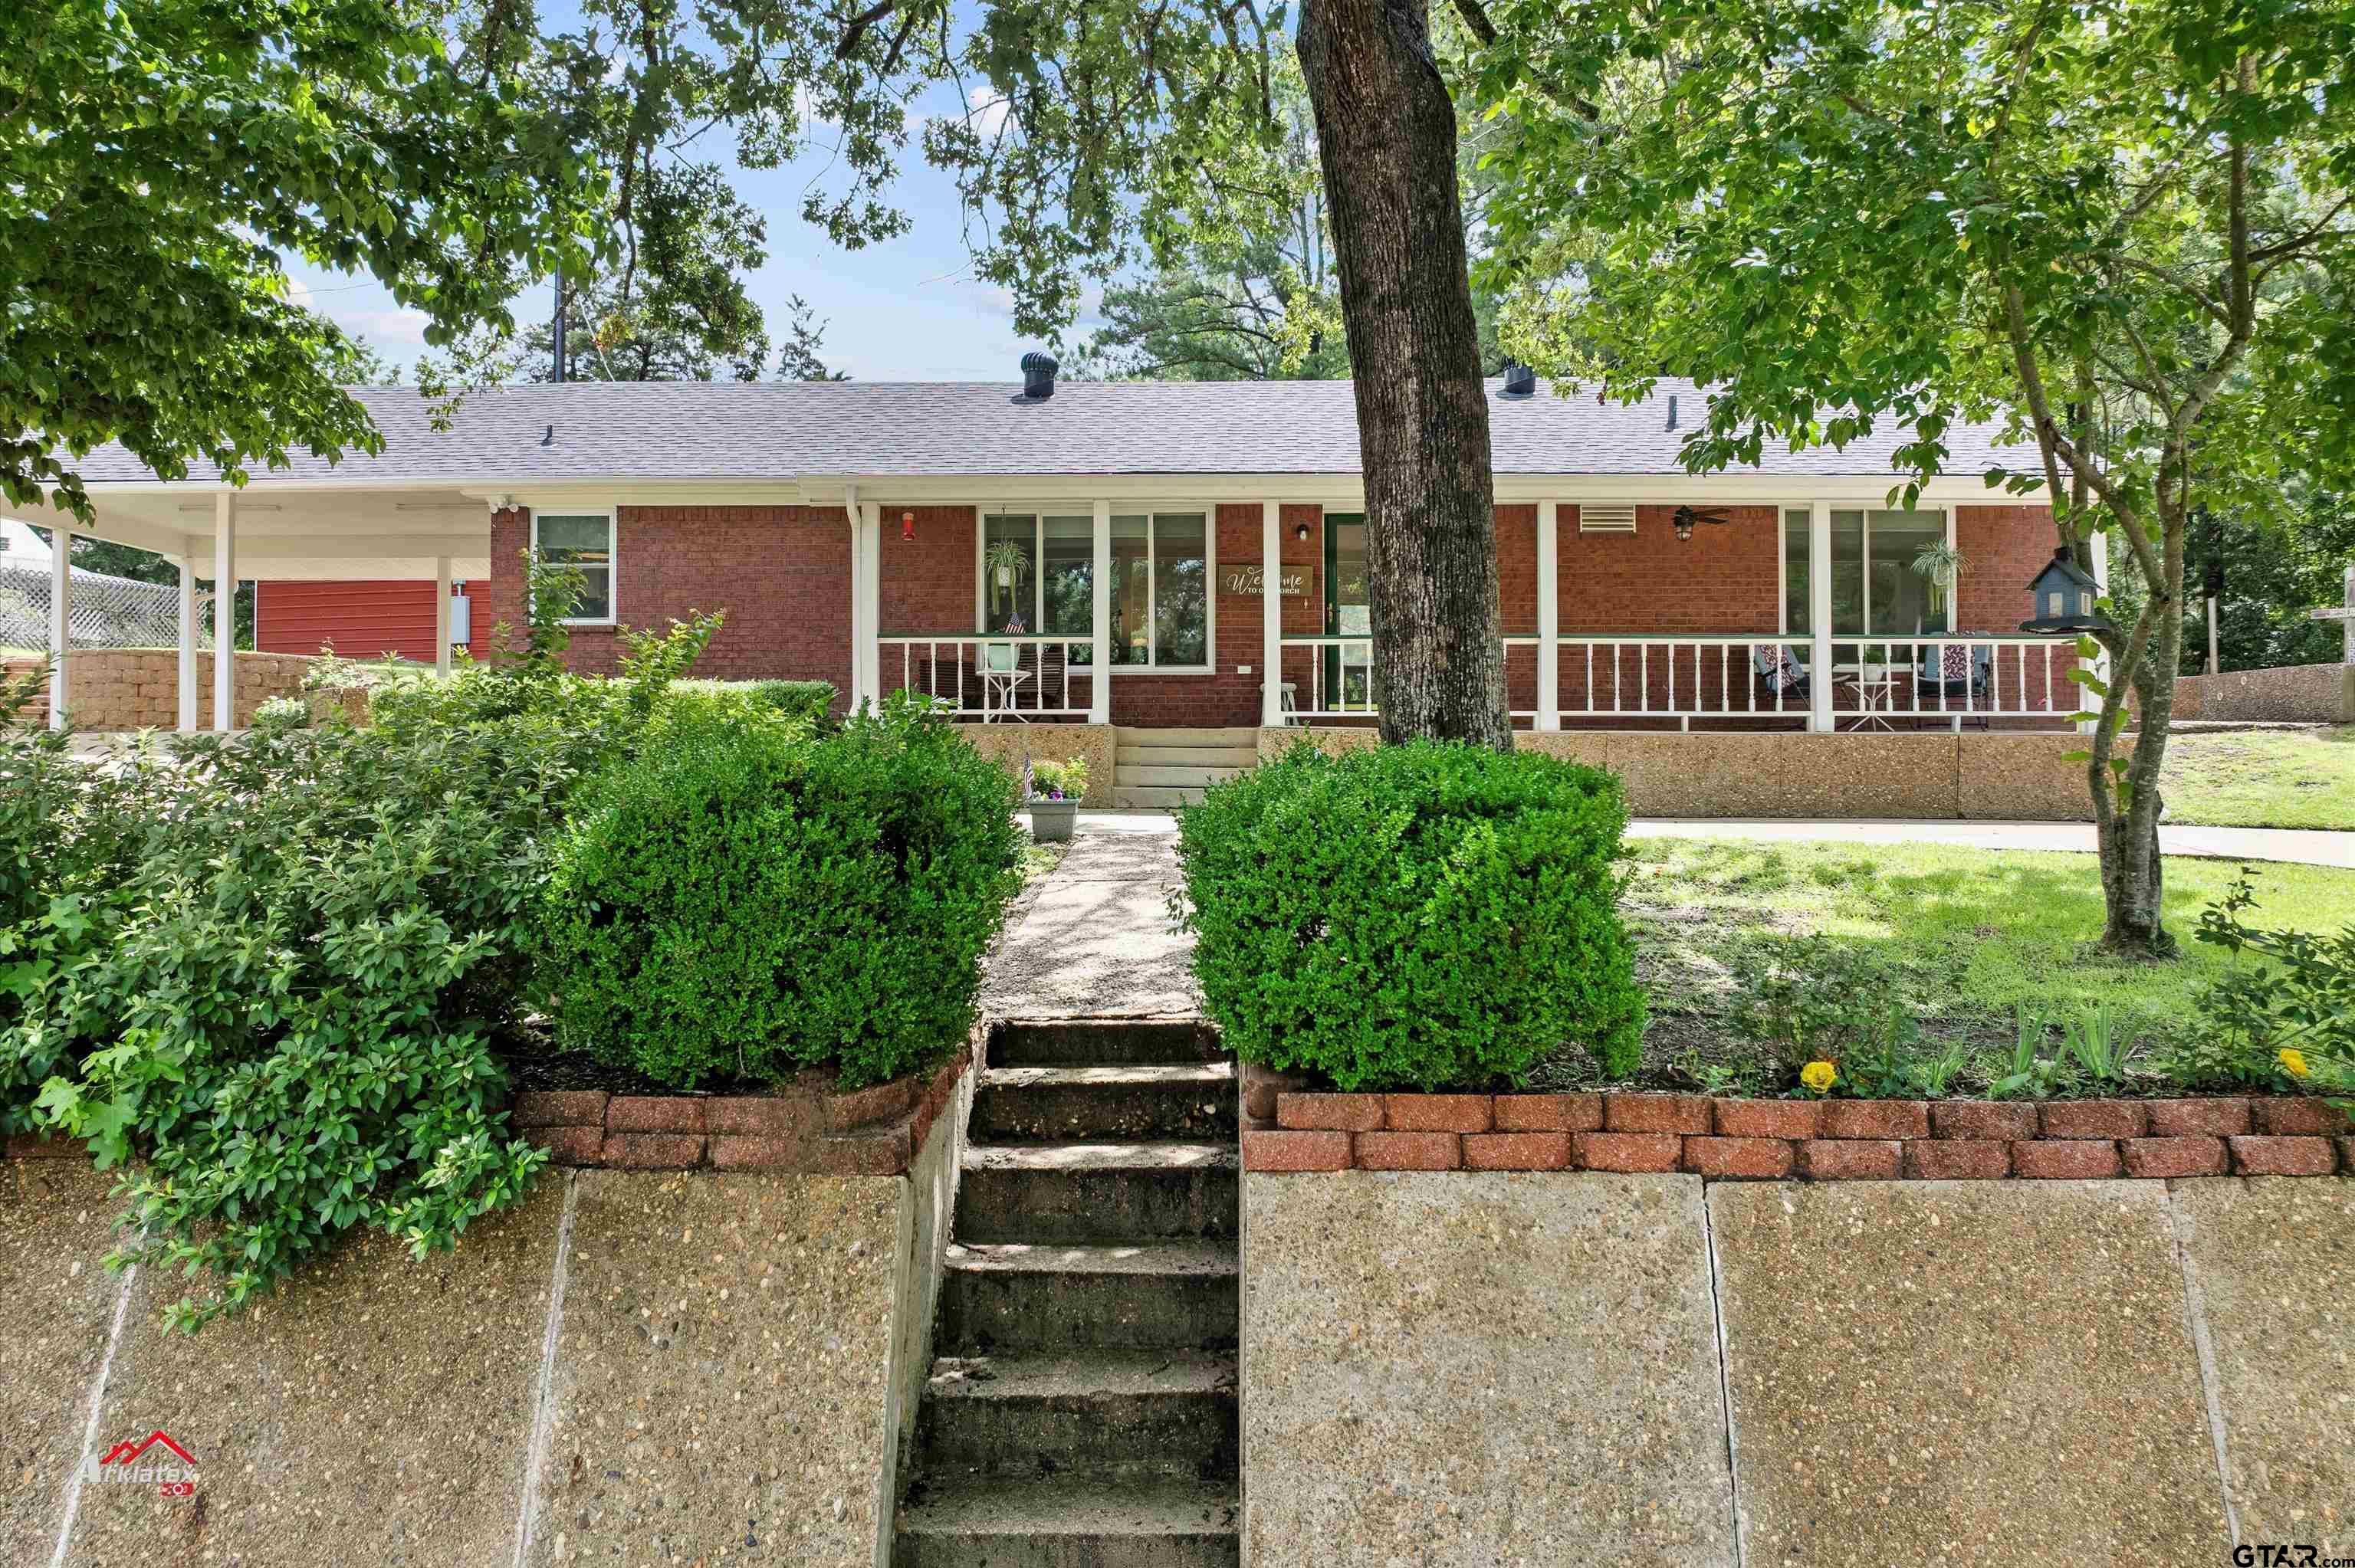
column 741, row 901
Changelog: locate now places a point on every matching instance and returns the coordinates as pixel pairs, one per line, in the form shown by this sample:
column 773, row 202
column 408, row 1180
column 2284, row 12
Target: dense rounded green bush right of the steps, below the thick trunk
column 1414, row 917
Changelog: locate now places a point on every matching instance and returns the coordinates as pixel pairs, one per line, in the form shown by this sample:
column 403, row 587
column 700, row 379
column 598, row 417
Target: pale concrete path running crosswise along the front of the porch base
column 2295, row 846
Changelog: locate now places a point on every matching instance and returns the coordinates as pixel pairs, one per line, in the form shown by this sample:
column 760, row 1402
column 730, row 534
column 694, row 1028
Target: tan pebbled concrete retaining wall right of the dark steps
column 1499, row 1369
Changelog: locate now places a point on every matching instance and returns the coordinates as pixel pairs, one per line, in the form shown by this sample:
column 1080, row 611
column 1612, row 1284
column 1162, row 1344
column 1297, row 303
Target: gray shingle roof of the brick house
column 783, row 430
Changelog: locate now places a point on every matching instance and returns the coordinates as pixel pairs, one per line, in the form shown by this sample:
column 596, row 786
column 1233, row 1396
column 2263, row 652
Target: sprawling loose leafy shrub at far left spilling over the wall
column 274, row 971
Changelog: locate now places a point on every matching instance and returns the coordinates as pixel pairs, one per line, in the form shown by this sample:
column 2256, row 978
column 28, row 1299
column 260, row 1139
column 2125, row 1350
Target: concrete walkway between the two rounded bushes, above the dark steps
column 1096, row 938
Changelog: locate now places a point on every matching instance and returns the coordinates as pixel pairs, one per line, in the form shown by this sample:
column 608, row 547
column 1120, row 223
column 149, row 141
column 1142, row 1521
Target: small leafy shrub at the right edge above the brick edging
column 2288, row 1025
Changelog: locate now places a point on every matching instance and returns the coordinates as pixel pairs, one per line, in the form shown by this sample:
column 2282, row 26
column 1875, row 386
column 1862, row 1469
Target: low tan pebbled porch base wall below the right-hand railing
column 2010, row 776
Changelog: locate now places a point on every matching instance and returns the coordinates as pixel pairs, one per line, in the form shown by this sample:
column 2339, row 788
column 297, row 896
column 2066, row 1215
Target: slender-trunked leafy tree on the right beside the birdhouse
column 2118, row 227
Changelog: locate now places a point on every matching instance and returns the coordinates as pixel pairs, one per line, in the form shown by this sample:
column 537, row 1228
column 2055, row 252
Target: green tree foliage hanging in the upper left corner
column 159, row 154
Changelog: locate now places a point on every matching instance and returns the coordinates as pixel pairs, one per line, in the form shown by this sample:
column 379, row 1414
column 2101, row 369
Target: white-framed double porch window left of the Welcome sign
column 1037, row 576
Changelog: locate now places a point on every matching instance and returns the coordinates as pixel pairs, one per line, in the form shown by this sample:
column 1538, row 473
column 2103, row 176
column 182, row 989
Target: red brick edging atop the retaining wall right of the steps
column 1822, row 1141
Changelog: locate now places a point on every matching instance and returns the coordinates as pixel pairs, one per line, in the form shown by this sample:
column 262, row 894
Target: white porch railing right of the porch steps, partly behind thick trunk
column 1749, row 677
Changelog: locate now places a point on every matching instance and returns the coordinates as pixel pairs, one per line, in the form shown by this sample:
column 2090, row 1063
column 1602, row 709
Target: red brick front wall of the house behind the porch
column 783, row 573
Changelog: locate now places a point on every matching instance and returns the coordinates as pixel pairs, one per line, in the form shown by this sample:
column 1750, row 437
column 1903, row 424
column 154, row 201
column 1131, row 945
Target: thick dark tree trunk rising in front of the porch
column 1386, row 135
